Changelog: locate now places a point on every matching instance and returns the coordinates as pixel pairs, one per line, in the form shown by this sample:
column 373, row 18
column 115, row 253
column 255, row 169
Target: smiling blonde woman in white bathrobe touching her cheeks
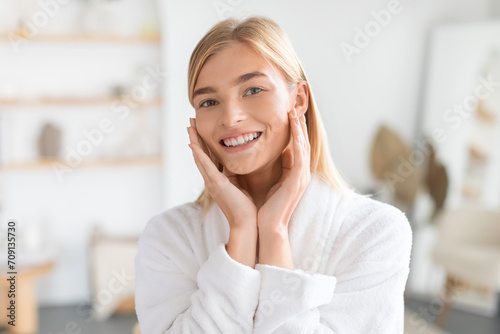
column 277, row 242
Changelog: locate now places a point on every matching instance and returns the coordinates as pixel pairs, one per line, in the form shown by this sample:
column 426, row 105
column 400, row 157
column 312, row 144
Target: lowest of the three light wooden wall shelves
column 48, row 164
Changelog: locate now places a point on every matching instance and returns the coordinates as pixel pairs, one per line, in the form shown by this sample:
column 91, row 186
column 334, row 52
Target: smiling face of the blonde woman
column 241, row 104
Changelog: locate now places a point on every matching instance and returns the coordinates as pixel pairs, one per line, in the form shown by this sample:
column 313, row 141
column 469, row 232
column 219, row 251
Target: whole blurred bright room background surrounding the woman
column 93, row 111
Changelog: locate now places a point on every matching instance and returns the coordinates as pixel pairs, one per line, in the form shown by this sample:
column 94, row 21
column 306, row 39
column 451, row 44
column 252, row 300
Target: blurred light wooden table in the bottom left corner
column 26, row 304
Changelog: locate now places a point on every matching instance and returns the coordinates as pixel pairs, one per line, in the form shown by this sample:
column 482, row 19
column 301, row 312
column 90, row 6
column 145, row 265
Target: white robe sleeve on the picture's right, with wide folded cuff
column 364, row 296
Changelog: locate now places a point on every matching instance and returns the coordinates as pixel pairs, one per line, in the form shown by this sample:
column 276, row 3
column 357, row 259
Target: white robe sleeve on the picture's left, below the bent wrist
column 176, row 295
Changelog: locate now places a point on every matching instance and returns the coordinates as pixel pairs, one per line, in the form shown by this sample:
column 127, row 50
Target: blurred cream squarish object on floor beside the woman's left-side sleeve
column 112, row 274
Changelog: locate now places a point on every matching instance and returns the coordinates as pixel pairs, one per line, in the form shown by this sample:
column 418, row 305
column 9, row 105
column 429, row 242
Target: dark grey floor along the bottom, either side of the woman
column 73, row 319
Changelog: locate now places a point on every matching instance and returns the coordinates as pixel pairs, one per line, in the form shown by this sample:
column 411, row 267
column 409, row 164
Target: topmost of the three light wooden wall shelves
column 81, row 38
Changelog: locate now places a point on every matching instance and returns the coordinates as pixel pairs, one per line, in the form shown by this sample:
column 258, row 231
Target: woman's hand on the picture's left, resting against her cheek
column 236, row 203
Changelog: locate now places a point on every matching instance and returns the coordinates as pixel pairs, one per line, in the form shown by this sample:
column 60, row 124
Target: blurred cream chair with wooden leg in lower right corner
column 468, row 247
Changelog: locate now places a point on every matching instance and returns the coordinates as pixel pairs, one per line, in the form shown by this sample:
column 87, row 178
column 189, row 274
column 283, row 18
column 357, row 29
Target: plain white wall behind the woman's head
column 381, row 84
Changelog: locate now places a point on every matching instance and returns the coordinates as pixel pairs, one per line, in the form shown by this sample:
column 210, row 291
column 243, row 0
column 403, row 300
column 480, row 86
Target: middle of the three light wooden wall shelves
column 75, row 101
